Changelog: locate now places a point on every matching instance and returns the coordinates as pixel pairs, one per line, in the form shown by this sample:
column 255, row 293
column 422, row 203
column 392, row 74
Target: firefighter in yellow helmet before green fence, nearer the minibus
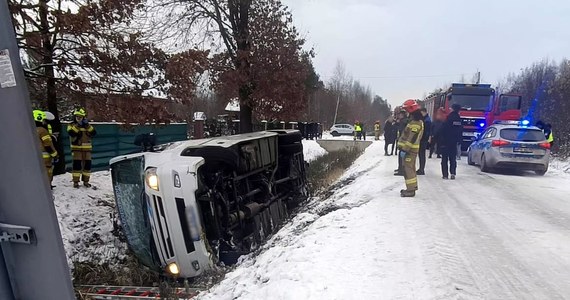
column 80, row 133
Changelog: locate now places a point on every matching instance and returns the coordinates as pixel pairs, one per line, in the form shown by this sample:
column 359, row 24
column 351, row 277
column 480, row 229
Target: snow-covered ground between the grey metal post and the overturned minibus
column 85, row 220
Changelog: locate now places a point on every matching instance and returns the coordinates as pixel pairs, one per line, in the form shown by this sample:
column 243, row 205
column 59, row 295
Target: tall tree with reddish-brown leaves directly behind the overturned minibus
column 247, row 34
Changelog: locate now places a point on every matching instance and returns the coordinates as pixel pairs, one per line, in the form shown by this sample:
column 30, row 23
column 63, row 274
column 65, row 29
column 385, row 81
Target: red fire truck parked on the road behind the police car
column 479, row 107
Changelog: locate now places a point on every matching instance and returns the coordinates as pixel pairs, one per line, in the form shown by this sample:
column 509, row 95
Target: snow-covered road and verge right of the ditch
column 483, row 236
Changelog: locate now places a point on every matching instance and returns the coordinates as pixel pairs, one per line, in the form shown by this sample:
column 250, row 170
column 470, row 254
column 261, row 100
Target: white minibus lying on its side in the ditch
column 188, row 206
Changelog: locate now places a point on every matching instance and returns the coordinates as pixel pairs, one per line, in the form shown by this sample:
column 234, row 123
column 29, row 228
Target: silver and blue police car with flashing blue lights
column 510, row 145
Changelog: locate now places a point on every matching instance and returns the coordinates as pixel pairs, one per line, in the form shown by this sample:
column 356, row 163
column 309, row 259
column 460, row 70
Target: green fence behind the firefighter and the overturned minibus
column 113, row 139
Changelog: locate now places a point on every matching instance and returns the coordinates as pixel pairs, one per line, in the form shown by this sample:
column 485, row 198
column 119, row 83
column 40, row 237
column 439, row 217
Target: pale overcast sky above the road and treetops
column 405, row 48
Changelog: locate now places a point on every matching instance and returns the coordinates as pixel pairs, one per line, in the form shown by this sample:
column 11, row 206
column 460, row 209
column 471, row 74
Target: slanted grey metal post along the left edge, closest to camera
column 33, row 263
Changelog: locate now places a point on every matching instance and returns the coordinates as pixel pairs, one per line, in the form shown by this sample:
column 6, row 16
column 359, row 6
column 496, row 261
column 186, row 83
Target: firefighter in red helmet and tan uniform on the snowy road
column 409, row 145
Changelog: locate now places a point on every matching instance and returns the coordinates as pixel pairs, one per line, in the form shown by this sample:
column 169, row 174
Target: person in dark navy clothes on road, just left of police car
column 450, row 135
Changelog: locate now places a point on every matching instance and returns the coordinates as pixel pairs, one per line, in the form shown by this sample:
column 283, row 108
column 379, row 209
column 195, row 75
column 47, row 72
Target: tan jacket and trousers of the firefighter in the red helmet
column 409, row 142
